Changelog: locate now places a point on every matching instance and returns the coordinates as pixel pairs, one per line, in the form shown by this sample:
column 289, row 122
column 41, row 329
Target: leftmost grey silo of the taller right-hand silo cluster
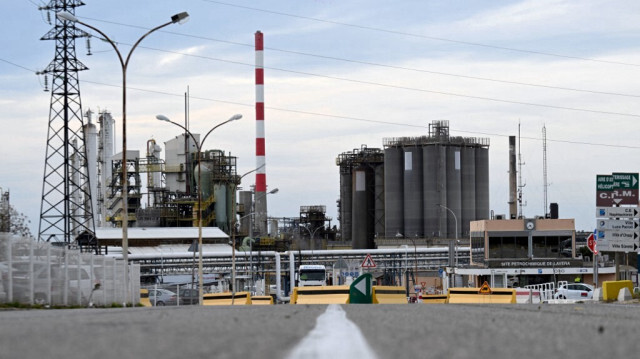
column 393, row 196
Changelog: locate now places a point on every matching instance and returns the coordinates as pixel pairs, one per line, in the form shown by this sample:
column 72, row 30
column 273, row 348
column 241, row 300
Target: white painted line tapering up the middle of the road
column 334, row 337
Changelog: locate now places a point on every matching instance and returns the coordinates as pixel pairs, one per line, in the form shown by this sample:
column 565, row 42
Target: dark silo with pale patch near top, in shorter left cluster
column 360, row 210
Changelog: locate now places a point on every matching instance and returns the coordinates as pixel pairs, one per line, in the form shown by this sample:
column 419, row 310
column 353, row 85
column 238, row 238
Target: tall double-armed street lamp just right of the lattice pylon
column 180, row 18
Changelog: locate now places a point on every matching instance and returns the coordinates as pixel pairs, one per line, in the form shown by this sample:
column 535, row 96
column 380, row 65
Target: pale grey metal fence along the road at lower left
column 40, row 273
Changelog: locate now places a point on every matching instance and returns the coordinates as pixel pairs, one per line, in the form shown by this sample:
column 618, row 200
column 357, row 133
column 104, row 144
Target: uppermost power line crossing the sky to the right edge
column 377, row 29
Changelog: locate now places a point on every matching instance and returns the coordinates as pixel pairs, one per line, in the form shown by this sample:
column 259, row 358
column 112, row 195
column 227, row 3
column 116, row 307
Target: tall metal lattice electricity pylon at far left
column 65, row 211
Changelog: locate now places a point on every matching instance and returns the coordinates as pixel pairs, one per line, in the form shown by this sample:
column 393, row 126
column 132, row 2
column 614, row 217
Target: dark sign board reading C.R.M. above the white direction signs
column 616, row 189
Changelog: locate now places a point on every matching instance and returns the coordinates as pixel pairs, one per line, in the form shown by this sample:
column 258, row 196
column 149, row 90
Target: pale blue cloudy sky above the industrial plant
column 342, row 74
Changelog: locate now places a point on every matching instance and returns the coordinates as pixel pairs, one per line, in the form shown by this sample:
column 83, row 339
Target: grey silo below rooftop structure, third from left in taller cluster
column 430, row 191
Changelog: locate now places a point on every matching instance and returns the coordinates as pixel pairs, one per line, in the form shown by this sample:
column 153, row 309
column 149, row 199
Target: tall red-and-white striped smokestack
column 261, row 172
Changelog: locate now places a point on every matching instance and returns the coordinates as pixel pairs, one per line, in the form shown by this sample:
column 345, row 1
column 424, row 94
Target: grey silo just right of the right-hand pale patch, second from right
column 468, row 177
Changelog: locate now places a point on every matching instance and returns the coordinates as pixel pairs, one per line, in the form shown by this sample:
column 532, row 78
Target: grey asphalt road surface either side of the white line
column 392, row 331
